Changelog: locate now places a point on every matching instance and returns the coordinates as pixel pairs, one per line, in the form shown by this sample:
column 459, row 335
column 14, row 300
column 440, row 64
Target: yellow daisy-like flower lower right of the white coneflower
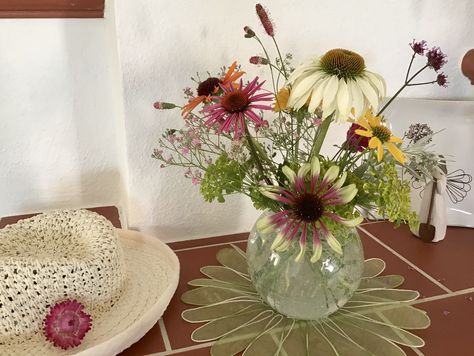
column 380, row 136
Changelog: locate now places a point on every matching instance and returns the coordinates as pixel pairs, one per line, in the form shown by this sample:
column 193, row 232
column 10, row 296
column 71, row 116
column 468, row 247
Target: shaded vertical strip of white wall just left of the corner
column 95, row 112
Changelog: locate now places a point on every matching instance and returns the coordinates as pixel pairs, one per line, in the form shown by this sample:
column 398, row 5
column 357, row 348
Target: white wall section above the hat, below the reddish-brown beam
column 60, row 112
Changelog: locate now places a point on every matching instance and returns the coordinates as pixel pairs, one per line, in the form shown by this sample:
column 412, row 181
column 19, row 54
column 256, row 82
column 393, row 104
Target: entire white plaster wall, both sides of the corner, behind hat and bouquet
column 70, row 136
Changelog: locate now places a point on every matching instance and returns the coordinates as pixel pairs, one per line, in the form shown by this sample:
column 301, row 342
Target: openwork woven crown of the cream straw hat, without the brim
column 66, row 254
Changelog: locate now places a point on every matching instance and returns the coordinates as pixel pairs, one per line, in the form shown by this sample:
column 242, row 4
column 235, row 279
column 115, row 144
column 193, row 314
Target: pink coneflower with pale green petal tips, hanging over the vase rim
column 307, row 208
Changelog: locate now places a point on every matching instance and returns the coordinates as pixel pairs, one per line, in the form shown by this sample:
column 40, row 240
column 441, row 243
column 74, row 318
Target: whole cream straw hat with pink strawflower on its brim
column 123, row 281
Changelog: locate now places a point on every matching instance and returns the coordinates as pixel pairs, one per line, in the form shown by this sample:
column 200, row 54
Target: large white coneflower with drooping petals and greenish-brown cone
column 337, row 82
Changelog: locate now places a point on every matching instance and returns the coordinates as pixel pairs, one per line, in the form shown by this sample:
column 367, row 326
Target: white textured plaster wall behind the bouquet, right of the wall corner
column 162, row 43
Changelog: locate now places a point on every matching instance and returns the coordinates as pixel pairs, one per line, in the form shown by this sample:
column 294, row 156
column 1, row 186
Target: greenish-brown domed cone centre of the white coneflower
column 343, row 63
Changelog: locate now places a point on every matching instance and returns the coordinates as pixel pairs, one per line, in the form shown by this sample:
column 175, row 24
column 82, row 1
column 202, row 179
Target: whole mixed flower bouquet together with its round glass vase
column 264, row 139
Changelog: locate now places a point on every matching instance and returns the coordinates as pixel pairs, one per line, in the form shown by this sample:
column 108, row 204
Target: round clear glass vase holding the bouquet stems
column 305, row 290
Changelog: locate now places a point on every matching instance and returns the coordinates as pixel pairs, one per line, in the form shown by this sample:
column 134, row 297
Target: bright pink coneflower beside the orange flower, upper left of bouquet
column 235, row 105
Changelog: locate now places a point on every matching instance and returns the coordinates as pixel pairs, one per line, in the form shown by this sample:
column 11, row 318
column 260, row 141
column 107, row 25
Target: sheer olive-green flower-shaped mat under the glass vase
column 373, row 322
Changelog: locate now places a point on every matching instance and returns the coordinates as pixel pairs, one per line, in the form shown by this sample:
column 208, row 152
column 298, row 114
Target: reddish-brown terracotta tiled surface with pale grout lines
column 442, row 272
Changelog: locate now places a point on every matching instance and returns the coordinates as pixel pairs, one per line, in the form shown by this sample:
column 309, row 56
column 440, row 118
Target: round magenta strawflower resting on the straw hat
column 67, row 324
